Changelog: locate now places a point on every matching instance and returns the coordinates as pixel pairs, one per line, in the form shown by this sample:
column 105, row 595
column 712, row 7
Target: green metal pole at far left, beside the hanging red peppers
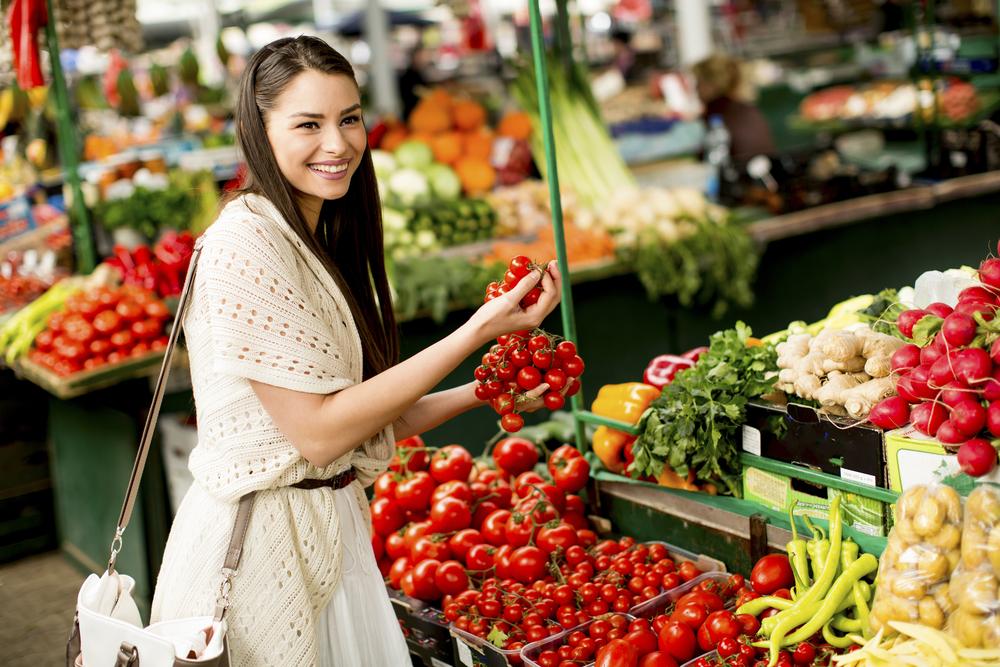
column 69, row 149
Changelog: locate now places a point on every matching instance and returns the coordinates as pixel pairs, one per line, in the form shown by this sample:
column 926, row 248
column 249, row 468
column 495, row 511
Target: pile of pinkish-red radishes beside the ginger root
column 949, row 376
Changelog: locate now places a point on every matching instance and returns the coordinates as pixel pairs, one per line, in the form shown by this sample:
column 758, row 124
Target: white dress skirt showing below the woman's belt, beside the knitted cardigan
column 358, row 628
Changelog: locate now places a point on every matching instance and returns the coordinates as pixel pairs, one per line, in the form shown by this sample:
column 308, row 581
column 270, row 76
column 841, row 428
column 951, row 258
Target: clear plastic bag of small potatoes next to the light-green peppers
column 916, row 566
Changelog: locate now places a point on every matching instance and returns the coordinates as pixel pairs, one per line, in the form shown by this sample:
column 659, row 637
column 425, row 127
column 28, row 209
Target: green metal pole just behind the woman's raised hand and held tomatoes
column 545, row 113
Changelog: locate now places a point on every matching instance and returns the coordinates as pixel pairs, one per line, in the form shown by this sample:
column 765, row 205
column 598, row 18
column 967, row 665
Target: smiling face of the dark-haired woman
column 317, row 136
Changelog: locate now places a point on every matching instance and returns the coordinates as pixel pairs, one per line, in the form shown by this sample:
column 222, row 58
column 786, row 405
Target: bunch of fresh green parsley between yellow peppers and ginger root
column 694, row 424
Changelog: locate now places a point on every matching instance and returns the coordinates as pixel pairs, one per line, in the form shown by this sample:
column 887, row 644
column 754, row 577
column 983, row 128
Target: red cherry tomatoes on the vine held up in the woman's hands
column 521, row 361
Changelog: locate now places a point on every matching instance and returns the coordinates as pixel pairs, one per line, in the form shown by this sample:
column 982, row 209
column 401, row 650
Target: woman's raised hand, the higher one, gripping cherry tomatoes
column 504, row 314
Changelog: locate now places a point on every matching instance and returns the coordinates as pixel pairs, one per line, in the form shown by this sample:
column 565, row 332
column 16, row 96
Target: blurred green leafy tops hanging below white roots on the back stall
column 714, row 264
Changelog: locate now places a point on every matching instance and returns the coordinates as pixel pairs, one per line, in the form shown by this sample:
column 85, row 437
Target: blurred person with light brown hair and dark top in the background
column 723, row 93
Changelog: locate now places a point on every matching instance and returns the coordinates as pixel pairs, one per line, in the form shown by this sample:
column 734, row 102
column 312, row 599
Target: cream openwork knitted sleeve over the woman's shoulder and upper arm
column 263, row 325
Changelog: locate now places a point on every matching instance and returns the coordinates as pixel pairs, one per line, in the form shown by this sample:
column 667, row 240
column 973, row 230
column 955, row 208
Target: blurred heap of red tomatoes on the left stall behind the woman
column 103, row 326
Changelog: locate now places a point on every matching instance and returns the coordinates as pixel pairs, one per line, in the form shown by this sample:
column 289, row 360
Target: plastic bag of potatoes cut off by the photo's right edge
column 975, row 582
